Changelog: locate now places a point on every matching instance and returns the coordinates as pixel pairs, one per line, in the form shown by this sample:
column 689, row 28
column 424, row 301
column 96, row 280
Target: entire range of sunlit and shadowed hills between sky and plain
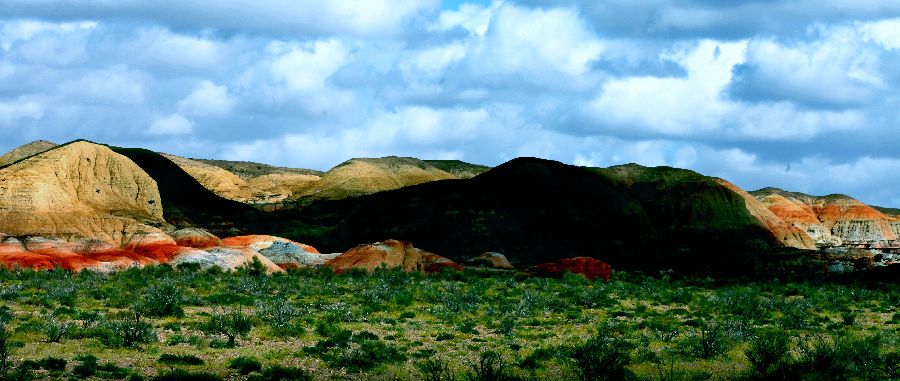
column 86, row 205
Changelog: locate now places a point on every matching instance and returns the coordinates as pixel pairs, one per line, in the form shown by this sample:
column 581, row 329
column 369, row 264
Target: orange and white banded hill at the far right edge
column 832, row 220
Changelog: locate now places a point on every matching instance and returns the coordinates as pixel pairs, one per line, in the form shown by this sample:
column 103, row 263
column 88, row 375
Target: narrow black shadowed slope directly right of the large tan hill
column 185, row 201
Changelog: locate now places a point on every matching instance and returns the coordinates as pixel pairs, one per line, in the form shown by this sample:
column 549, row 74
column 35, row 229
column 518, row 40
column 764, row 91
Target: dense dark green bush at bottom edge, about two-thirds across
column 602, row 357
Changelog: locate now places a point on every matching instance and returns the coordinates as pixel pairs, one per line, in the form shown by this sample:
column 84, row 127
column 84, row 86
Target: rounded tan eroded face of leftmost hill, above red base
column 77, row 190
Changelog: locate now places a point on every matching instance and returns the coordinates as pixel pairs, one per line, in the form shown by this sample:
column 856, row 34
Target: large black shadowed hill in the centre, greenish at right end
column 536, row 210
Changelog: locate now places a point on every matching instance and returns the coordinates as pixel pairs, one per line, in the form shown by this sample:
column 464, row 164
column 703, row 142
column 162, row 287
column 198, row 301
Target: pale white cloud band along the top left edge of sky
column 283, row 17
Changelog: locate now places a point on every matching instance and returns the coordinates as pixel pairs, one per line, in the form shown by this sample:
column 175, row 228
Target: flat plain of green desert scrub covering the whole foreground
column 160, row 323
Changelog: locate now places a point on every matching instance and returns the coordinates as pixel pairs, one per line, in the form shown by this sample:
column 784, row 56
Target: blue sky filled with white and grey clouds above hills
column 797, row 94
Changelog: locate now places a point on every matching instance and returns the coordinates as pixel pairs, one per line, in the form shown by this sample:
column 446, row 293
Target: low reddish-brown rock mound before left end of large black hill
column 390, row 254
